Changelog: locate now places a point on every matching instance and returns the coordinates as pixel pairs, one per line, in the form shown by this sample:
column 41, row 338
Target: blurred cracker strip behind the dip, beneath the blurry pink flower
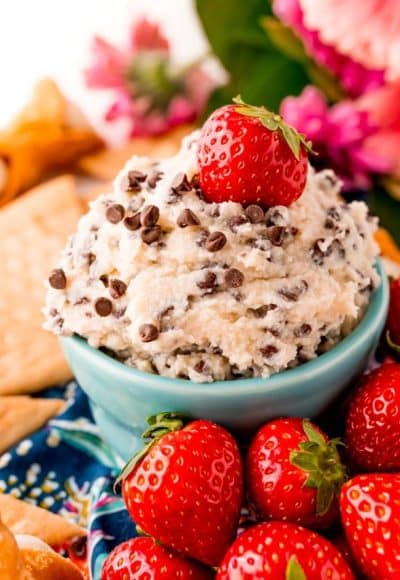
column 107, row 163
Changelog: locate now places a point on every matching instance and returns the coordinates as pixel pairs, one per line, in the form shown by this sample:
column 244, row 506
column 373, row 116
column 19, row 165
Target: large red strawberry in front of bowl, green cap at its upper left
column 187, row 489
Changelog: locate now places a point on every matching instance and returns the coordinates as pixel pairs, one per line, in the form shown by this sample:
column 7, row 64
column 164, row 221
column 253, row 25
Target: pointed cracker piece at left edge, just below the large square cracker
column 20, row 416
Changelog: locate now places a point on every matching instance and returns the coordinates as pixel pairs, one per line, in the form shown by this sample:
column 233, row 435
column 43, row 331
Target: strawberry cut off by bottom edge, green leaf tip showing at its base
column 278, row 551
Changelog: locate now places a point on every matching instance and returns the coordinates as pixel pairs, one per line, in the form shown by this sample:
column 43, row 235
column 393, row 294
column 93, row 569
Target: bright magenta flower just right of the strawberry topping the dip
column 339, row 135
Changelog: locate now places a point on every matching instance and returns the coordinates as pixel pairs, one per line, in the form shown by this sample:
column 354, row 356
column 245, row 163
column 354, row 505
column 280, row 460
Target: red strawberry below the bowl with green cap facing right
column 294, row 473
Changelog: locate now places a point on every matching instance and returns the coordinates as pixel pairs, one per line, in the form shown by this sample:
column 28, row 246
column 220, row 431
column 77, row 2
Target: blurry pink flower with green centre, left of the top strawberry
column 150, row 95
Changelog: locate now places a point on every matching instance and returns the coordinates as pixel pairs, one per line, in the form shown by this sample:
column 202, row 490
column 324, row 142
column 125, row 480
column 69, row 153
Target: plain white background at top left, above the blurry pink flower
column 47, row 38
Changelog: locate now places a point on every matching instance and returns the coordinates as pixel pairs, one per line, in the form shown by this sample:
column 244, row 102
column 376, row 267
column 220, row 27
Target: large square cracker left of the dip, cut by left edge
column 33, row 230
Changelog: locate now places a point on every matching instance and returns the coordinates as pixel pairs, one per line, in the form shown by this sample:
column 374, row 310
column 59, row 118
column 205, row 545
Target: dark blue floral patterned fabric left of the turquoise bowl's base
column 68, row 469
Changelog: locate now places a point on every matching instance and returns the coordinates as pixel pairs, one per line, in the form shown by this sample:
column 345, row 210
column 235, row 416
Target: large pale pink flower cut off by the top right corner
column 366, row 30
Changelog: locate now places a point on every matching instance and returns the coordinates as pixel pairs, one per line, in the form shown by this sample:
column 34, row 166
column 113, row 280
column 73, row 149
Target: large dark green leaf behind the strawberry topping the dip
column 257, row 68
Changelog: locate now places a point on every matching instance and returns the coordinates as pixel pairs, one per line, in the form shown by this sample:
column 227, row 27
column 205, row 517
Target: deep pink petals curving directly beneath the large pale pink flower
column 354, row 77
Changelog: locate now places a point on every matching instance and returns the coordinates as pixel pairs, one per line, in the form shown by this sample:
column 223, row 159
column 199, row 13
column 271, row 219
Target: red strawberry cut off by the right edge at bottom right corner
column 370, row 510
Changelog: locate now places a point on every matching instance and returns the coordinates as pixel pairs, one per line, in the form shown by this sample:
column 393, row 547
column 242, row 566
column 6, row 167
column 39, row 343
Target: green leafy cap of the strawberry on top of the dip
column 274, row 122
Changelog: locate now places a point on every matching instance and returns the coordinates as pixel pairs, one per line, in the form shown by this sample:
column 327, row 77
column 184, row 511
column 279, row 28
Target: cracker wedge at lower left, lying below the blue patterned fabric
column 24, row 518
